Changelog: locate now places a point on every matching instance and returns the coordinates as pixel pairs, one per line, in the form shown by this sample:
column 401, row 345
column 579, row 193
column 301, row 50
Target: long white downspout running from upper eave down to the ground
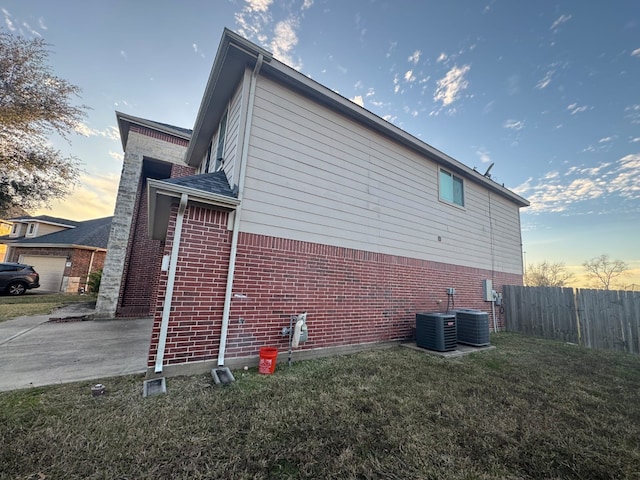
column 236, row 219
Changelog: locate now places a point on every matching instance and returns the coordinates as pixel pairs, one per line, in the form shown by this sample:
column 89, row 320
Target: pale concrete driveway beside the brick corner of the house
column 36, row 351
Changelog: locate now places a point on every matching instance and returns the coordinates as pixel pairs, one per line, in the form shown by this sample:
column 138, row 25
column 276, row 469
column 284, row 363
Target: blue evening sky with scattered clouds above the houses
column 546, row 91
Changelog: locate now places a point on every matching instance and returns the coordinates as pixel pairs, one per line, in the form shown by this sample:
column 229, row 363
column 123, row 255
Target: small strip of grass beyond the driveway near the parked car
column 36, row 304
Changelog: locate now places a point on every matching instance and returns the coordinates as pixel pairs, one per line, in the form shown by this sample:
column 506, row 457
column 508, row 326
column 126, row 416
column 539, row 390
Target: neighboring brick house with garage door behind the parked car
column 64, row 252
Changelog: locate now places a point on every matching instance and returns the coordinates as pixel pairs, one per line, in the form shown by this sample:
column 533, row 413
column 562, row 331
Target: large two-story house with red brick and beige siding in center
column 285, row 198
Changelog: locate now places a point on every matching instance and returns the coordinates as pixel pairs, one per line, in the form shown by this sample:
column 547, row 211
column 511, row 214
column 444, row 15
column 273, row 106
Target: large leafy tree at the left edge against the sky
column 34, row 103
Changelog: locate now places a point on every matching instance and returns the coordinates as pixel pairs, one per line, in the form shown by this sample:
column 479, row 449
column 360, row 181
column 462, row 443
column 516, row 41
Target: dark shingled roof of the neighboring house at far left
column 90, row 233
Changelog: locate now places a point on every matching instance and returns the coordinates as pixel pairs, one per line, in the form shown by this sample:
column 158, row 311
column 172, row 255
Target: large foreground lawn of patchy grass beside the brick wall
column 528, row 409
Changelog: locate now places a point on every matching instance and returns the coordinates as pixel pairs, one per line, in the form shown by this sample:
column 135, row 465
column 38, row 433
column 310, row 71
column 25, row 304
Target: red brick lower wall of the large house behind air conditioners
column 351, row 296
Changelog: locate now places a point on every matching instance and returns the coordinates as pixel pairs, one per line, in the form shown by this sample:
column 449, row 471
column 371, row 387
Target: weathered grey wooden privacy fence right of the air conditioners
column 608, row 319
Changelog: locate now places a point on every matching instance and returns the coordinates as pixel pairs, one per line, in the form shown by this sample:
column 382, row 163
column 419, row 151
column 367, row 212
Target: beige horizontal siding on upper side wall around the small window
column 315, row 176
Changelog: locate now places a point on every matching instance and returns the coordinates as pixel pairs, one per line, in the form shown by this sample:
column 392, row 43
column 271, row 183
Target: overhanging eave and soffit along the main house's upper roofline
column 235, row 54
